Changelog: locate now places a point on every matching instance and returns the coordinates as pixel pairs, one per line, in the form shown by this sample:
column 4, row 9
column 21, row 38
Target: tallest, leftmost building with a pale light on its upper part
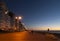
column 4, row 18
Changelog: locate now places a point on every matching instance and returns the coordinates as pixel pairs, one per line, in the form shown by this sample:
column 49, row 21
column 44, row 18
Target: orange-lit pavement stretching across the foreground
column 27, row 36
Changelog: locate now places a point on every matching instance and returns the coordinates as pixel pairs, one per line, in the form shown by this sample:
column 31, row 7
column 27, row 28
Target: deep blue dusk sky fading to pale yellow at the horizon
column 37, row 13
